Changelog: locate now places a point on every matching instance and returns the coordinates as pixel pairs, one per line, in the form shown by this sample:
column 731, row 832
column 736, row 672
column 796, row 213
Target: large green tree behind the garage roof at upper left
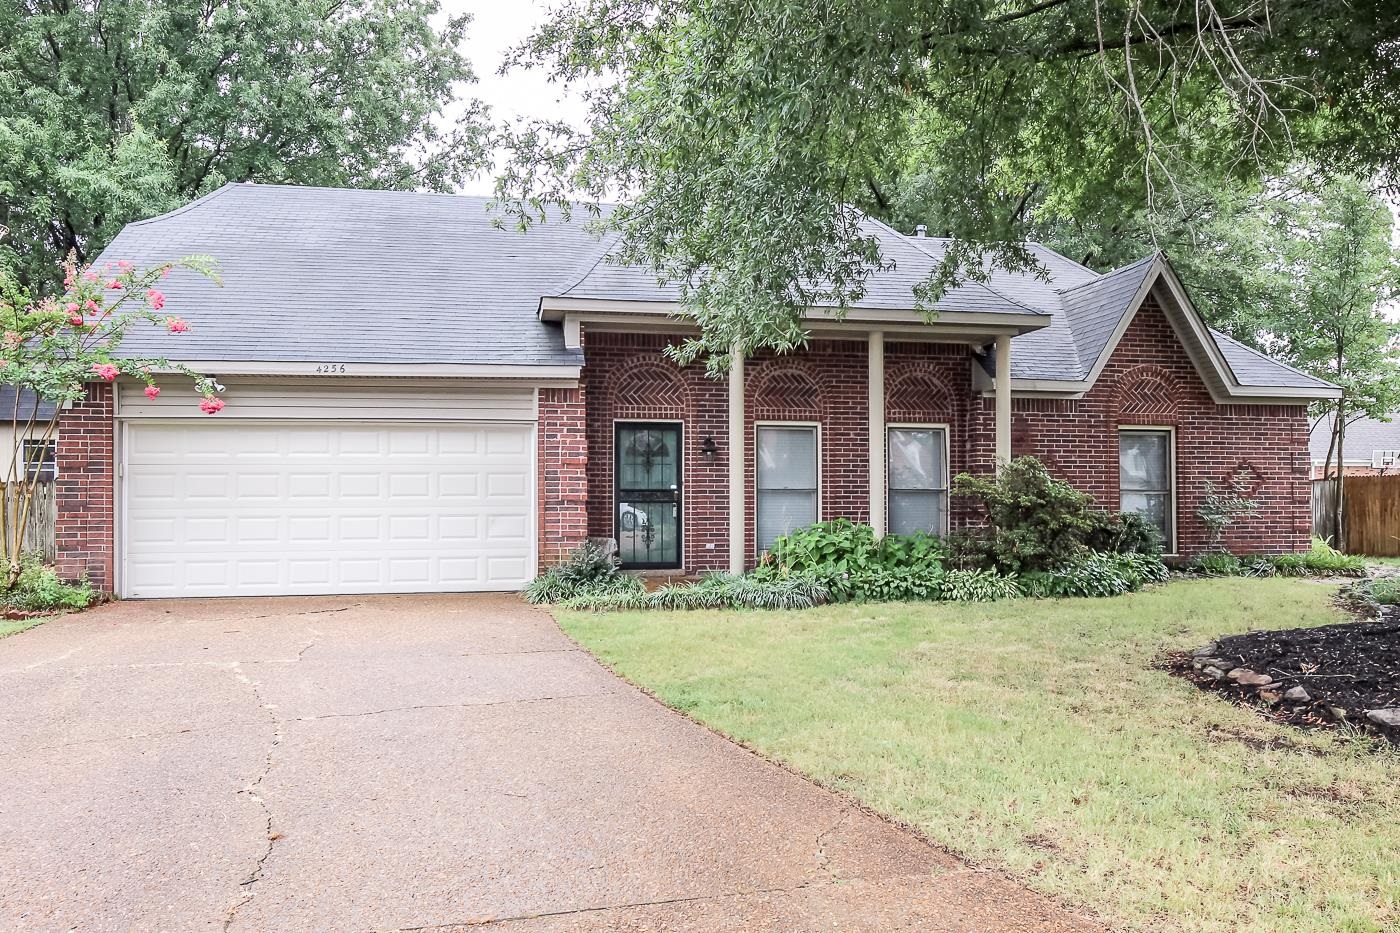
column 118, row 110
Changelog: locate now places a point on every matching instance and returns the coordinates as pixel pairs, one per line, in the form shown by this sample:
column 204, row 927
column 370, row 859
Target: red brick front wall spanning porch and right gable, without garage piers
column 1149, row 382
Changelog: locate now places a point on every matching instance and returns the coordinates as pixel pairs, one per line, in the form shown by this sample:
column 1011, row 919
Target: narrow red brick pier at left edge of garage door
column 86, row 491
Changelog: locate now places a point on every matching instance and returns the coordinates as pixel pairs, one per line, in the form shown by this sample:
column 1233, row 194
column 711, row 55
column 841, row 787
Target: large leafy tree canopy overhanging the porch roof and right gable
column 744, row 132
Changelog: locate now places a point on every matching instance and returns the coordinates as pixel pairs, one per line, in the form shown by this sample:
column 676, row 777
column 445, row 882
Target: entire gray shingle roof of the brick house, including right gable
column 372, row 277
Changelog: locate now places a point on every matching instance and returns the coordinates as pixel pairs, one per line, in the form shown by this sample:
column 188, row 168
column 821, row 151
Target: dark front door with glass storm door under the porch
column 647, row 523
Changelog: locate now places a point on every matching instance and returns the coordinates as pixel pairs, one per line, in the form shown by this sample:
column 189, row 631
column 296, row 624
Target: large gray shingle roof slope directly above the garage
column 366, row 277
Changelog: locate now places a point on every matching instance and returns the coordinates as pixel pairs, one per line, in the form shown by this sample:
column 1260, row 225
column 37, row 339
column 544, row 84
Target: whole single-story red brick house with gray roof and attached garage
column 421, row 401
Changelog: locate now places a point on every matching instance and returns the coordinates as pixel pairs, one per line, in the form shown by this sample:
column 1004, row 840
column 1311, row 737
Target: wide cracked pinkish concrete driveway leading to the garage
column 415, row 763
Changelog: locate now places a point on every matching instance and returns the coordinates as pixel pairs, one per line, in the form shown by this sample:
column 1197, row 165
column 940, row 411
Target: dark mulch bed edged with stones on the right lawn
column 1326, row 676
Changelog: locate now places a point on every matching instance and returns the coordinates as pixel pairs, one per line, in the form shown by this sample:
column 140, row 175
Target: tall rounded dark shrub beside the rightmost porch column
column 1034, row 520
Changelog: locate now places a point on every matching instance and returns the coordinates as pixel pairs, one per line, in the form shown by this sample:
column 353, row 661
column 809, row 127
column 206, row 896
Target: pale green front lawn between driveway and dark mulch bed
column 1039, row 738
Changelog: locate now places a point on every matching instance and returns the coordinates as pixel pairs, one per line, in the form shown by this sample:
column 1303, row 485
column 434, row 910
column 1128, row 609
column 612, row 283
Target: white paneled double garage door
column 239, row 509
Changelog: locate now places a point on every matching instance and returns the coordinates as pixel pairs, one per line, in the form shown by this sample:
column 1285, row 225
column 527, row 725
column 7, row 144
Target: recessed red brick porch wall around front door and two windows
column 628, row 378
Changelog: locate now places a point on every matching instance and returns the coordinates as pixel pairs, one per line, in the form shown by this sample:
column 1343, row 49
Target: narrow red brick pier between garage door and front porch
column 563, row 485
